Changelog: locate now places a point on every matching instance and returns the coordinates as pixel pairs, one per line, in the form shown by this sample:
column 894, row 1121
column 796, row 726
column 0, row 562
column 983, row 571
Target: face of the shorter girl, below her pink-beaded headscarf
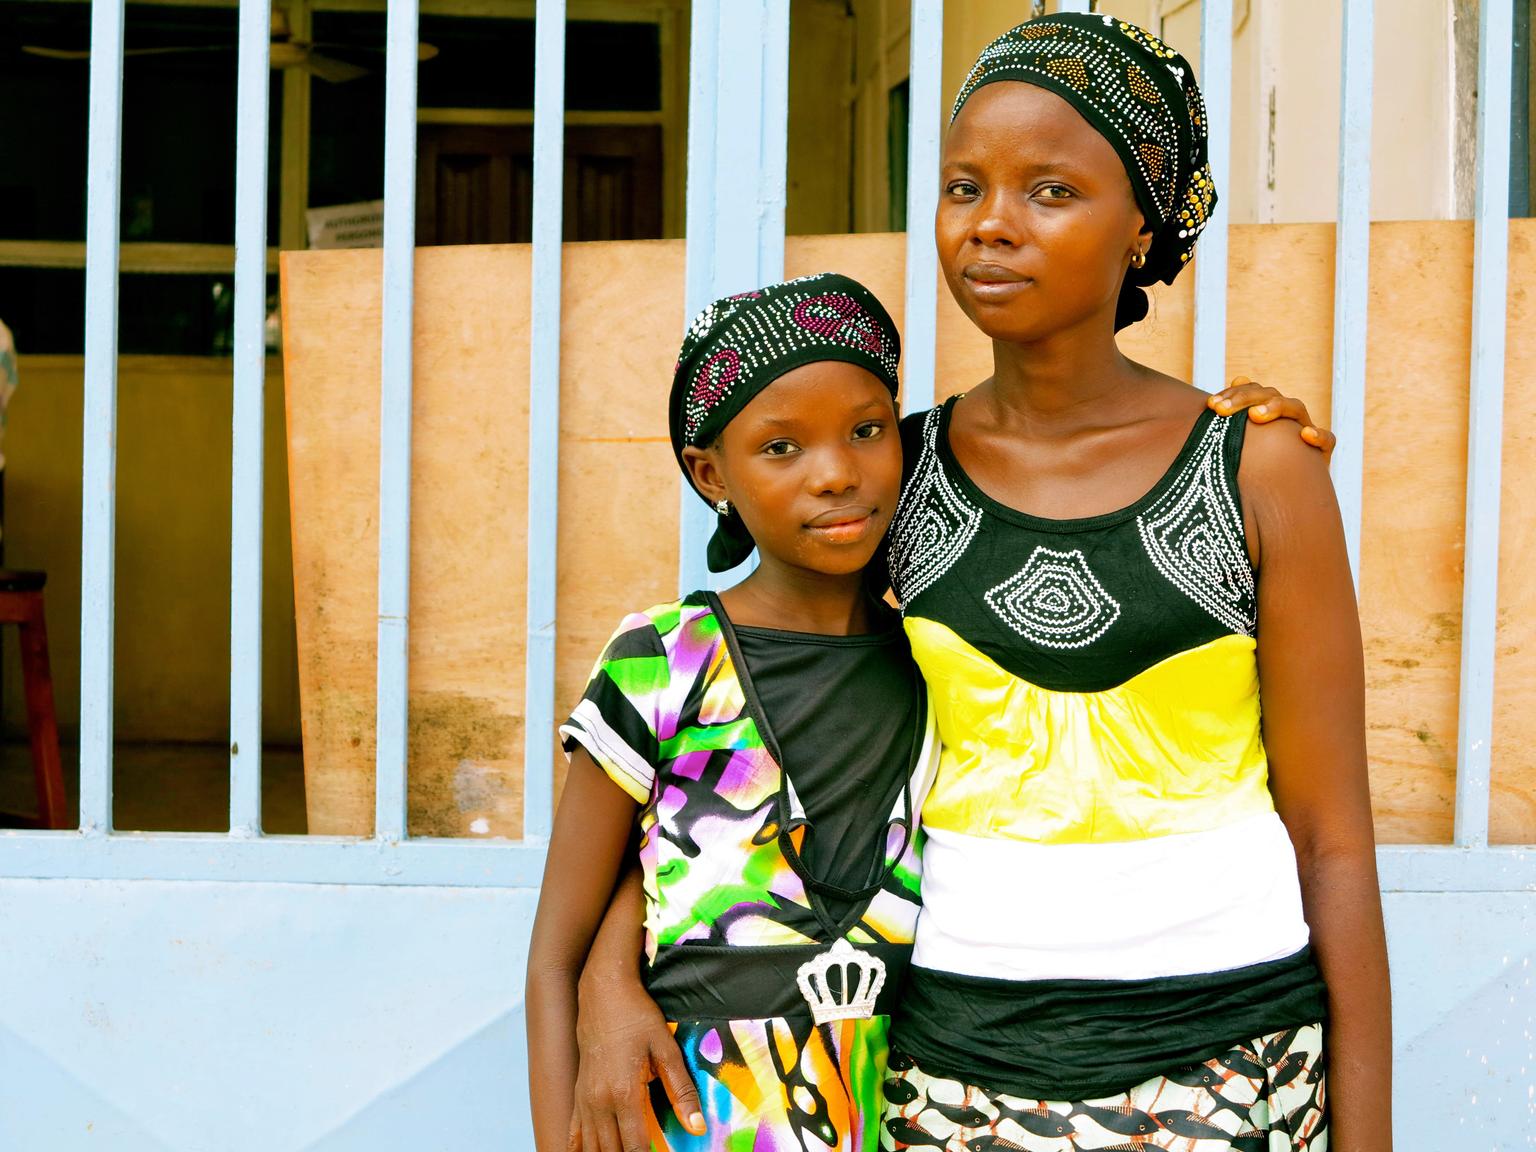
column 813, row 465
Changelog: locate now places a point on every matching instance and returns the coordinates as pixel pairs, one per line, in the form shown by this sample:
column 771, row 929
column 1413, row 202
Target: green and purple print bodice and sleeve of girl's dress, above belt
column 666, row 718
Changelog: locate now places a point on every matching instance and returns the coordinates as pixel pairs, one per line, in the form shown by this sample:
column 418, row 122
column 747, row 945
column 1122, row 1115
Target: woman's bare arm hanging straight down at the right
column 1314, row 706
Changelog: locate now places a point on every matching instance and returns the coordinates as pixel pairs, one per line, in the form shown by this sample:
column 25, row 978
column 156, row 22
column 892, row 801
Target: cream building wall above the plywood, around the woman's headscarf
column 1285, row 99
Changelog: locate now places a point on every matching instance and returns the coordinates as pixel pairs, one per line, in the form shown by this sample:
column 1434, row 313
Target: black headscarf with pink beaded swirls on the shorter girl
column 741, row 345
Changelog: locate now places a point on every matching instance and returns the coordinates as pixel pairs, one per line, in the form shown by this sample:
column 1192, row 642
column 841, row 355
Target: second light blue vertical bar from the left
column 247, row 475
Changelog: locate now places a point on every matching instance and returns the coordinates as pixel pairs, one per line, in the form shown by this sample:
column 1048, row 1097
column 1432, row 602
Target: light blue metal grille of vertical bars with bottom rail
column 735, row 223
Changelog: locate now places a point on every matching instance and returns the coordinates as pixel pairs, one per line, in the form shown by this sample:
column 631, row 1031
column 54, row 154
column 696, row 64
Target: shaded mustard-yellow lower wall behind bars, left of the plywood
column 173, row 545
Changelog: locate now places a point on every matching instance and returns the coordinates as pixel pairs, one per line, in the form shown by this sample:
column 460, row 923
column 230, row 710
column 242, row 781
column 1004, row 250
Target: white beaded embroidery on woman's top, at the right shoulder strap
column 1194, row 535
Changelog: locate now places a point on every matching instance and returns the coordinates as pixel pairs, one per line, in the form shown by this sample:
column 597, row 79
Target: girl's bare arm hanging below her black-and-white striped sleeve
column 588, row 853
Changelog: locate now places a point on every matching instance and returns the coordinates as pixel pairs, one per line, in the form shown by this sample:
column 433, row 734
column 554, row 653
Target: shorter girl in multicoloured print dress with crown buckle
column 773, row 743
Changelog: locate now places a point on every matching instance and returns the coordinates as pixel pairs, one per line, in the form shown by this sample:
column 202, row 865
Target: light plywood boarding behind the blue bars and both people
column 620, row 492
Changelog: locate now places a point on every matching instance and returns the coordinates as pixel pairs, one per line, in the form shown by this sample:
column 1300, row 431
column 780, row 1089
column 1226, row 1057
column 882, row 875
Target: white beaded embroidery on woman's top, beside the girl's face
column 935, row 525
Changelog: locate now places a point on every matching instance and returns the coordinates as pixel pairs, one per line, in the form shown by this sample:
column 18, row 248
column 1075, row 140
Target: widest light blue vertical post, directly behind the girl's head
column 738, row 150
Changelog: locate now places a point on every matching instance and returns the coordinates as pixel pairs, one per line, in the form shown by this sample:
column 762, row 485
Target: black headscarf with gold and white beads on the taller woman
column 1142, row 96
